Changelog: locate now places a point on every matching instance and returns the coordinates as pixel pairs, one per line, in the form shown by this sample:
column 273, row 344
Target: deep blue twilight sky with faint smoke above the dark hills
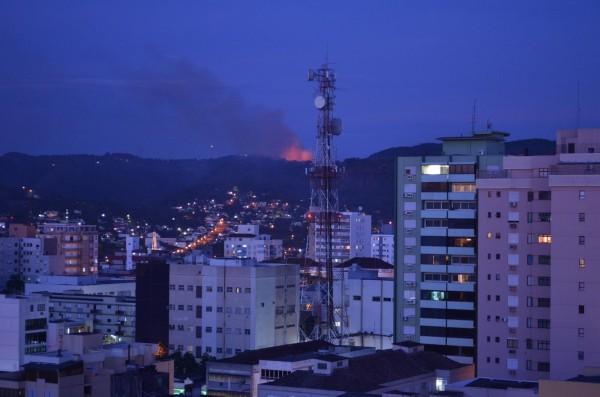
column 201, row 79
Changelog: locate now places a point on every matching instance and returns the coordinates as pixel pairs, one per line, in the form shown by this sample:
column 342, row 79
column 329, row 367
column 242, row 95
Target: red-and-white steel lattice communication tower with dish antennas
column 323, row 216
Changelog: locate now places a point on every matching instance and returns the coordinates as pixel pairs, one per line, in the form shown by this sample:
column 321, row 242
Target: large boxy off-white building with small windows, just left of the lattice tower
column 232, row 305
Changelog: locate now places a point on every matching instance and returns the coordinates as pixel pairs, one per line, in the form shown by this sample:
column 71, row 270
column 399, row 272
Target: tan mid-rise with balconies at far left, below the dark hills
column 77, row 243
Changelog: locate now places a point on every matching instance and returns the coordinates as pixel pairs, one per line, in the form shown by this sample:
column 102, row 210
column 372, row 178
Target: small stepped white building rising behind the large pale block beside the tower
column 249, row 243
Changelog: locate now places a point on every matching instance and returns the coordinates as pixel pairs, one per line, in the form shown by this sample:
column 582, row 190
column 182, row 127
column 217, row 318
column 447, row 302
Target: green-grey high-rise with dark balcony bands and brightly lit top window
column 436, row 244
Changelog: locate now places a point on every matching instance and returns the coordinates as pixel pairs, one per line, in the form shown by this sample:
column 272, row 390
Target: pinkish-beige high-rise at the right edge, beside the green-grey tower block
column 539, row 263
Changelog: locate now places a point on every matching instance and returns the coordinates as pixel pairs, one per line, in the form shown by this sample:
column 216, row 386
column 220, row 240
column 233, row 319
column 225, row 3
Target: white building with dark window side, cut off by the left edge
column 23, row 326
